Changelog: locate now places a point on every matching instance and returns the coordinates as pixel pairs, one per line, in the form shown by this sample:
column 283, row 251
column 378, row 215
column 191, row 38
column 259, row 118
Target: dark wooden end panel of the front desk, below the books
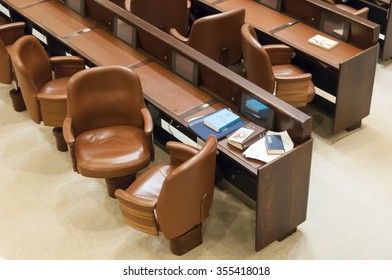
column 282, row 195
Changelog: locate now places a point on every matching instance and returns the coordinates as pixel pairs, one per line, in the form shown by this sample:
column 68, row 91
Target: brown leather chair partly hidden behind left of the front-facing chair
column 45, row 97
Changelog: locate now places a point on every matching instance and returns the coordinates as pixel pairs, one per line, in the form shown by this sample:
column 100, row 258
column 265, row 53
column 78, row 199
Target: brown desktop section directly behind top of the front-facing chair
column 101, row 48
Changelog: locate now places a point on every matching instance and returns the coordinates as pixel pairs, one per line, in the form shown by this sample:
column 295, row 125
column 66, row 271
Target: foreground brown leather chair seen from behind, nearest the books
column 174, row 198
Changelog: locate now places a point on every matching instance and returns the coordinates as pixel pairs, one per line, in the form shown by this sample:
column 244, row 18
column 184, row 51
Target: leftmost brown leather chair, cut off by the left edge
column 9, row 33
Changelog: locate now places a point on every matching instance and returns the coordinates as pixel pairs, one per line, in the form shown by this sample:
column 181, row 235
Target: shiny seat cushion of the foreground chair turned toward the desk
column 148, row 185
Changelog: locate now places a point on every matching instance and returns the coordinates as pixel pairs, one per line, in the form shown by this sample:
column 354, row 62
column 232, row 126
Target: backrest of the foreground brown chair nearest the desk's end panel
column 187, row 192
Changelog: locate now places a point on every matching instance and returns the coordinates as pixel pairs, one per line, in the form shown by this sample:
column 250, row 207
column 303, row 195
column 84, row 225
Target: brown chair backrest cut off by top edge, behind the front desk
column 163, row 14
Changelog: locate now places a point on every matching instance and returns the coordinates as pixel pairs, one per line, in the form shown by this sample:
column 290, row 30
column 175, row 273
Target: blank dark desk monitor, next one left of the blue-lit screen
column 185, row 67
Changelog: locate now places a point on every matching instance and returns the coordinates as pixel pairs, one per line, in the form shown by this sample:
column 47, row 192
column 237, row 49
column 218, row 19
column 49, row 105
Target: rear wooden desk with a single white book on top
column 345, row 72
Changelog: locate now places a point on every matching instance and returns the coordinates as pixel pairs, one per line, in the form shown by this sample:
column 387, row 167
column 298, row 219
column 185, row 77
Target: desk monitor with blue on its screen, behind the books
column 255, row 110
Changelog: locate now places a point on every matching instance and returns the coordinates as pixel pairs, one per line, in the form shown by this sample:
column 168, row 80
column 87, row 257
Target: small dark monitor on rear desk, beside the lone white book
column 335, row 26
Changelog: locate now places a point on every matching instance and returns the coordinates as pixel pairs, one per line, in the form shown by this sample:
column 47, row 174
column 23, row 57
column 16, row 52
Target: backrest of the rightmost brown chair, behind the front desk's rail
column 256, row 60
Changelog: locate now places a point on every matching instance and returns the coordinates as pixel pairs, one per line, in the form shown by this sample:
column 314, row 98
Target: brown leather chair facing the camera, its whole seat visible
column 108, row 128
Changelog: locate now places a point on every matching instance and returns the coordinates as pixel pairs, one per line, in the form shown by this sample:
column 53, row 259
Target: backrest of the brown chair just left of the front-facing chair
column 32, row 68
